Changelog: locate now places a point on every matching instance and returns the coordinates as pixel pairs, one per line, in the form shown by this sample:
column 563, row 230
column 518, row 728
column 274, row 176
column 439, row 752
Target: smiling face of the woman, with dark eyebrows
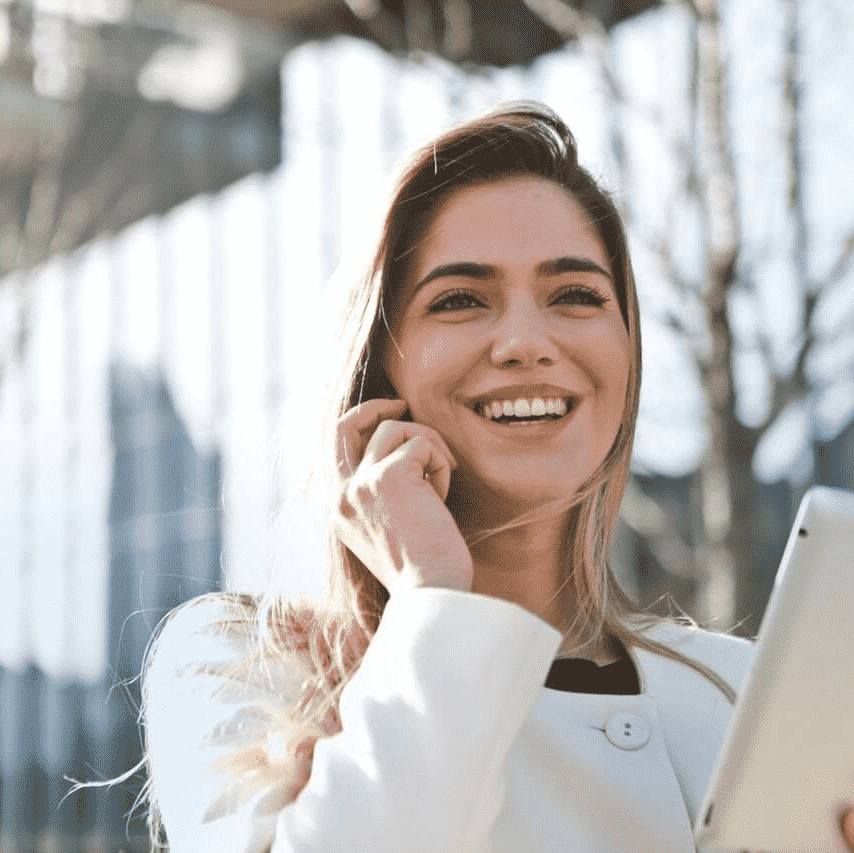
column 509, row 341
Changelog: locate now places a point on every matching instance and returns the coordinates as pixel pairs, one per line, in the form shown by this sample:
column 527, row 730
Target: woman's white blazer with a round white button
column 450, row 742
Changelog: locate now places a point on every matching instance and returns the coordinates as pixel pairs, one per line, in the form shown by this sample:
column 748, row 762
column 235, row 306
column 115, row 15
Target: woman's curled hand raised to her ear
column 393, row 479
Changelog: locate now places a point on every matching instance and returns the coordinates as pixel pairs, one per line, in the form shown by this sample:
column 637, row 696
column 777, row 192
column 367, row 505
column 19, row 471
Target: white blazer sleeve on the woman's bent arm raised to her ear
column 427, row 722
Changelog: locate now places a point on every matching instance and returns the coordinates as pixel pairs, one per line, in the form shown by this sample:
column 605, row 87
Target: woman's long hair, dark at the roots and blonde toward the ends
column 521, row 139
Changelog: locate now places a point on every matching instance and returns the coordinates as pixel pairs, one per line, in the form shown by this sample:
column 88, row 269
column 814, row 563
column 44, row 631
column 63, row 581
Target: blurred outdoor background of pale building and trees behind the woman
column 179, row 184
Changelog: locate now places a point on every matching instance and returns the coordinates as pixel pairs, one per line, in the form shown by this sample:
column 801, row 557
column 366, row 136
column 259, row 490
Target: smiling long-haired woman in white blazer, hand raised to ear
column 483, row 430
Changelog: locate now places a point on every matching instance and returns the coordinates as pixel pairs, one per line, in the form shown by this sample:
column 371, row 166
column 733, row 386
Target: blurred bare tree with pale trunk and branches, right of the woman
column 728, row 514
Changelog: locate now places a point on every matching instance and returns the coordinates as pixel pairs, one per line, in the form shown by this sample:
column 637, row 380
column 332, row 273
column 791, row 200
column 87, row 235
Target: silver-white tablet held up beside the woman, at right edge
column 786, row 768
